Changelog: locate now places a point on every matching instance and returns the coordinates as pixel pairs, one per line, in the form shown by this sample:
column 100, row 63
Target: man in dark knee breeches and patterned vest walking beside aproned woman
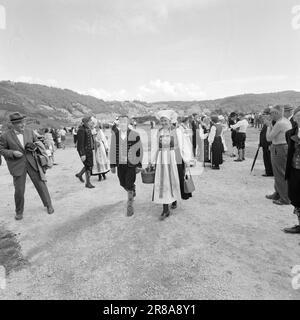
column 126, row 154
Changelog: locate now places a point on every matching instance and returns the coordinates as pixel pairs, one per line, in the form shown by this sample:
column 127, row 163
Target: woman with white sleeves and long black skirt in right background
column 215, row 141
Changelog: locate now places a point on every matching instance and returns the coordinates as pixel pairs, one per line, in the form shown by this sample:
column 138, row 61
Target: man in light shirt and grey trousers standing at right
column 277, row 135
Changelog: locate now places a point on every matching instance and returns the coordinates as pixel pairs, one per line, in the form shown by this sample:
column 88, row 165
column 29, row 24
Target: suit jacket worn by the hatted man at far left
column 9, row 142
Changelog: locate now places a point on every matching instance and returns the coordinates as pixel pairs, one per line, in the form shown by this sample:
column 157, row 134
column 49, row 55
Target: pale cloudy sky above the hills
column 152, row 50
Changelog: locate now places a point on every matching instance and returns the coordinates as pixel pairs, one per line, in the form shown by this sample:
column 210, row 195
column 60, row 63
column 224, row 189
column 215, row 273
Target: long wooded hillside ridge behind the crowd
column 50, row 106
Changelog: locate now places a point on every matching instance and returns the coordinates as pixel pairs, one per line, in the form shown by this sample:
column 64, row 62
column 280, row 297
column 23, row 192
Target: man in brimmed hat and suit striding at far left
column 20, row 162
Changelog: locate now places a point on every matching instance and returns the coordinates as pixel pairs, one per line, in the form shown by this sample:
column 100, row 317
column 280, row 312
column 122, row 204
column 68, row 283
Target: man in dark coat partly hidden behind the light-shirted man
column 266, row 144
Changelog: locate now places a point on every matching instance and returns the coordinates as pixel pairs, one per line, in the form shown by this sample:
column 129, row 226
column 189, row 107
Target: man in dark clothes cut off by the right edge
column 292, row 173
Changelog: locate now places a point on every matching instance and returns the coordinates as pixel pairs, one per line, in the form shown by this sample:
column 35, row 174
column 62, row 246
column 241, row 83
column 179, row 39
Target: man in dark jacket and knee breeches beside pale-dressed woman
column 85, row 147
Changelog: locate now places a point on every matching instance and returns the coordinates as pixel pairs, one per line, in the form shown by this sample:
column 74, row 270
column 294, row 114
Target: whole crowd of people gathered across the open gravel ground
column 176, row 143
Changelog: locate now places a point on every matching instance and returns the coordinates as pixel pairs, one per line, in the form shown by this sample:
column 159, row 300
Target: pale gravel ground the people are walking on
column 226, row 242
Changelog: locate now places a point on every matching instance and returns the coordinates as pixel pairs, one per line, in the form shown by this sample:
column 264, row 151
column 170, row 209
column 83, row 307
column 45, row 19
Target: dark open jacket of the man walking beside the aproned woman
column 134, row 149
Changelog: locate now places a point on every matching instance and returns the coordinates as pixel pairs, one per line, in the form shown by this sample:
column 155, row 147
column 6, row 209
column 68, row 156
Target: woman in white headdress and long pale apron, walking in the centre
column 171, row 150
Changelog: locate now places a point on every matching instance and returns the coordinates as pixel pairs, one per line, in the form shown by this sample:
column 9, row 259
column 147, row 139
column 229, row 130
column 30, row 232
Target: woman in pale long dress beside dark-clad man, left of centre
column 100, row 153
